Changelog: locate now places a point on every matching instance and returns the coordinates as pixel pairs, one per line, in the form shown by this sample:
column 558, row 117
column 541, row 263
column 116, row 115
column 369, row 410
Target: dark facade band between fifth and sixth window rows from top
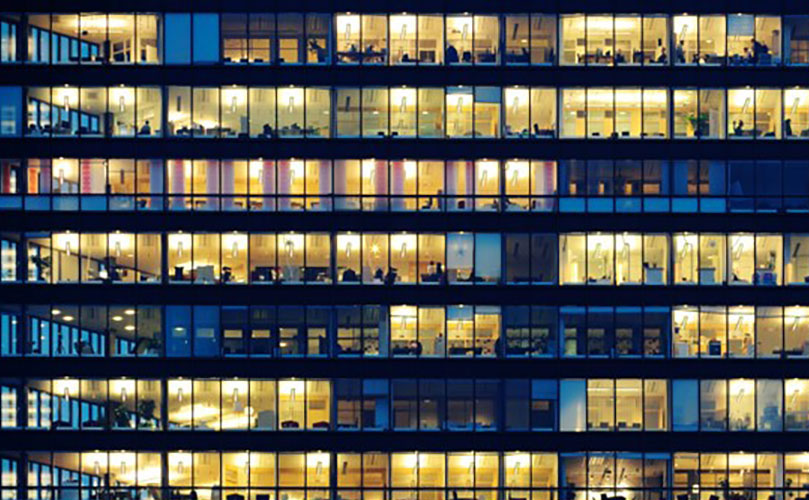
column 385, row 367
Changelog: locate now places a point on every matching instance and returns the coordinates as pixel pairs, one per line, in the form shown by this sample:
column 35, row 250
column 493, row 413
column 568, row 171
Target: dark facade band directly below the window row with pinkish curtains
column 422, row 222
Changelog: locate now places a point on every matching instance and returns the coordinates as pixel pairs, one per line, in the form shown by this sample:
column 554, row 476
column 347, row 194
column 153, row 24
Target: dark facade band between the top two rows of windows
column 403, row 75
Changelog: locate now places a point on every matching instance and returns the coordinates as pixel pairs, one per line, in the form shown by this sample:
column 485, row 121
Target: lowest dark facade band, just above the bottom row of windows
column 390, row 441
